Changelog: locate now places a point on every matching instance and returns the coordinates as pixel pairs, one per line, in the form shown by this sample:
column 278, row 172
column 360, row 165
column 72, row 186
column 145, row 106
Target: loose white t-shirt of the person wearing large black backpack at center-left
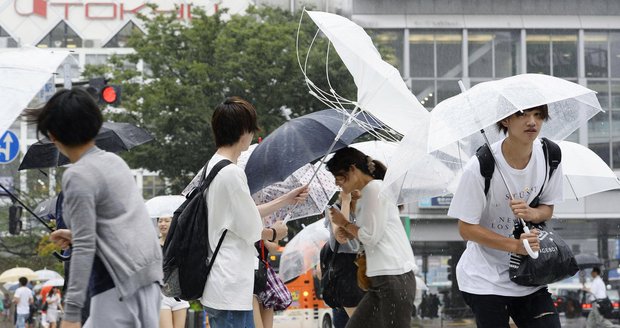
column 231, row 207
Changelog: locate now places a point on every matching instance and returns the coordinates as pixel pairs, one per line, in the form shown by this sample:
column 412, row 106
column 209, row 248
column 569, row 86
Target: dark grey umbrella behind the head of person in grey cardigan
column 113, row 137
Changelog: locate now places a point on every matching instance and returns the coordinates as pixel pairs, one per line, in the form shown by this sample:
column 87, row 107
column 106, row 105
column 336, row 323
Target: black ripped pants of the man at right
column 532, row 311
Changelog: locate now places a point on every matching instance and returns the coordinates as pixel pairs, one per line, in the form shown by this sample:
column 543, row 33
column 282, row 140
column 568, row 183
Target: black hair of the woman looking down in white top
column 342, row 160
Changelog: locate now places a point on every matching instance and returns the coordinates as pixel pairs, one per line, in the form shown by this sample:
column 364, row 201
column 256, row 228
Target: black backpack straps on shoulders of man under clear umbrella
column 553, row 156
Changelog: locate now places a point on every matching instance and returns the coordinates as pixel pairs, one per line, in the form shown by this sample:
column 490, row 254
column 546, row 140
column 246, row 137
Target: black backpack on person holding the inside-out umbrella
column 187, row 260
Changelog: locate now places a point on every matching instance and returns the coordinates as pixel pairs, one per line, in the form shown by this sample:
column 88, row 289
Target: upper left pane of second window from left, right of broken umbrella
column 422, row 54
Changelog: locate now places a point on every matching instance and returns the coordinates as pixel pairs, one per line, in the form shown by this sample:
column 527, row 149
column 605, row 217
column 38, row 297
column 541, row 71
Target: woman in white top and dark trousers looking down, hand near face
column 390, row 263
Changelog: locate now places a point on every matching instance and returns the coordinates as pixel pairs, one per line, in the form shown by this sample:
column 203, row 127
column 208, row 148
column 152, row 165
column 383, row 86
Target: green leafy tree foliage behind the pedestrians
column 191, row 67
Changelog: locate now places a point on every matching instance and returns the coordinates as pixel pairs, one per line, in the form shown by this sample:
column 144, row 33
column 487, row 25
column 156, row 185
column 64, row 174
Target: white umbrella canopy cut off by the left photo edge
column 24, row 72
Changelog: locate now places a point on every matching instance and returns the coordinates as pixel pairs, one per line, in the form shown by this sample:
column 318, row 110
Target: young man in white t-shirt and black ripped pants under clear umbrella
column 486, row 222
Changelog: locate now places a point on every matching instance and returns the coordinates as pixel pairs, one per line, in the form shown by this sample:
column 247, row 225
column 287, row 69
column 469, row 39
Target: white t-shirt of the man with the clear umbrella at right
column 483, row 270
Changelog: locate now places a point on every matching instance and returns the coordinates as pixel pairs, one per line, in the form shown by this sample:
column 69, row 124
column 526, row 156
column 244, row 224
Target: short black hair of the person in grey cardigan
column 71, row 116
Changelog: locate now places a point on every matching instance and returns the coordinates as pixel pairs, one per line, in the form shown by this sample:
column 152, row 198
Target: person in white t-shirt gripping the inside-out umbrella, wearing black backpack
column 228, row 293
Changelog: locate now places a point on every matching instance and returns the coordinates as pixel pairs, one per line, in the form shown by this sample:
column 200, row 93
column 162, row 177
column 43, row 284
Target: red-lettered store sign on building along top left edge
column 110, row 10
